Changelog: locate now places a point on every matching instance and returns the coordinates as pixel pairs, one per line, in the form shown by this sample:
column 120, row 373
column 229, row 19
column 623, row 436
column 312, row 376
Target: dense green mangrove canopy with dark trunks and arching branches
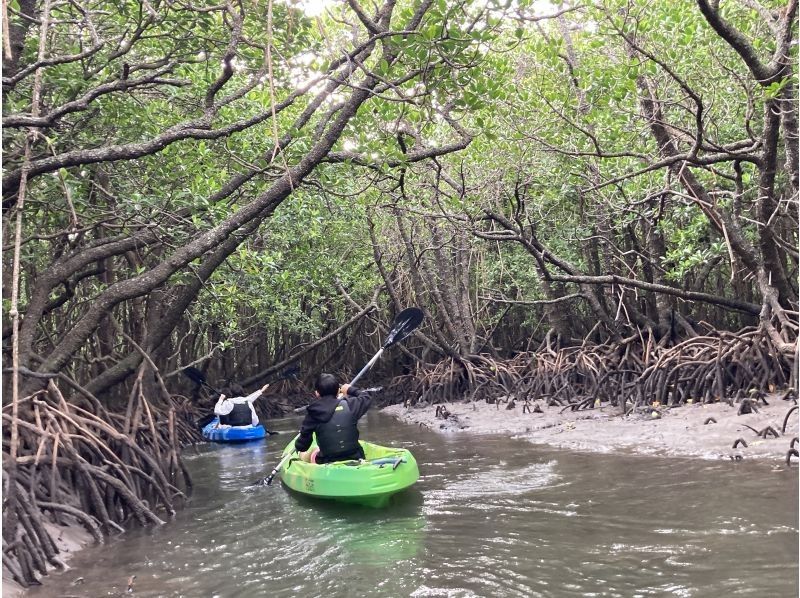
column 226, row 184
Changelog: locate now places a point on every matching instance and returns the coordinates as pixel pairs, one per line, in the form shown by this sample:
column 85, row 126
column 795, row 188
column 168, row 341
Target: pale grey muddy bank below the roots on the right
column 705, row 431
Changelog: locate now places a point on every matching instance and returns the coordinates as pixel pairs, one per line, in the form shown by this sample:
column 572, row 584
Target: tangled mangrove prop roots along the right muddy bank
column 632, row 373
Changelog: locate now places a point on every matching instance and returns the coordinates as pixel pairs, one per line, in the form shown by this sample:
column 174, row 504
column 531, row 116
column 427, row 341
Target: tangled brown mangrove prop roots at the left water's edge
column 79, row 464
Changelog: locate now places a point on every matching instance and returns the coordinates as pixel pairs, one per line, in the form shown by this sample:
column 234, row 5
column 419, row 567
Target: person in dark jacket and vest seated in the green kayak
column 333, row 417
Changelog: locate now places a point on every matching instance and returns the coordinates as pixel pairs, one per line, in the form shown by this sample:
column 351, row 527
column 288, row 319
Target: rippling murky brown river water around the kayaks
column 489, row 517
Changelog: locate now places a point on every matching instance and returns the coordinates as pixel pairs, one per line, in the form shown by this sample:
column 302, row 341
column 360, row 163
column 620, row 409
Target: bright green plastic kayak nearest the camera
column 371, row 481
